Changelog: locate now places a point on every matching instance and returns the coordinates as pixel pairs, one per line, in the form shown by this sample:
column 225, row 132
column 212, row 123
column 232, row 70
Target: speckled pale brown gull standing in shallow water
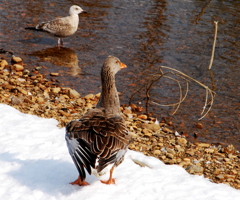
column 61, row 27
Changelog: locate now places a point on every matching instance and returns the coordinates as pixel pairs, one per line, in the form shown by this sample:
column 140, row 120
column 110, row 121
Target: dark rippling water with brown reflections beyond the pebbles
column 144, row 35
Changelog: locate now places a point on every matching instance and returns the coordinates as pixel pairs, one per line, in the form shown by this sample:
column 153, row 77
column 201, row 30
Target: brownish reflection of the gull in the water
column 61, row 57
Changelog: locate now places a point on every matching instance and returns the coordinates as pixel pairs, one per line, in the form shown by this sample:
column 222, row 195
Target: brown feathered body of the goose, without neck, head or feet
column 96, row 137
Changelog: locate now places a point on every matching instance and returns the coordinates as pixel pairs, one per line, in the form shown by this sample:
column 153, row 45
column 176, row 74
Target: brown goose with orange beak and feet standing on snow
column 100, row 138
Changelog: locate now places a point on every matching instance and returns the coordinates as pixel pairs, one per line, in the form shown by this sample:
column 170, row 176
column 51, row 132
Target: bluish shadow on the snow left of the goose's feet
column 50, row 176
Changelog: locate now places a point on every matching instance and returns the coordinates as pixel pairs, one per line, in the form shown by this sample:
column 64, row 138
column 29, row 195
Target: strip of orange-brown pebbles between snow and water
column 31, row 93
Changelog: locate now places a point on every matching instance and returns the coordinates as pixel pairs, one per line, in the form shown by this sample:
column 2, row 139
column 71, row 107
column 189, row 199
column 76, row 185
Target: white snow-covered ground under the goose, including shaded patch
column 35, row 164
